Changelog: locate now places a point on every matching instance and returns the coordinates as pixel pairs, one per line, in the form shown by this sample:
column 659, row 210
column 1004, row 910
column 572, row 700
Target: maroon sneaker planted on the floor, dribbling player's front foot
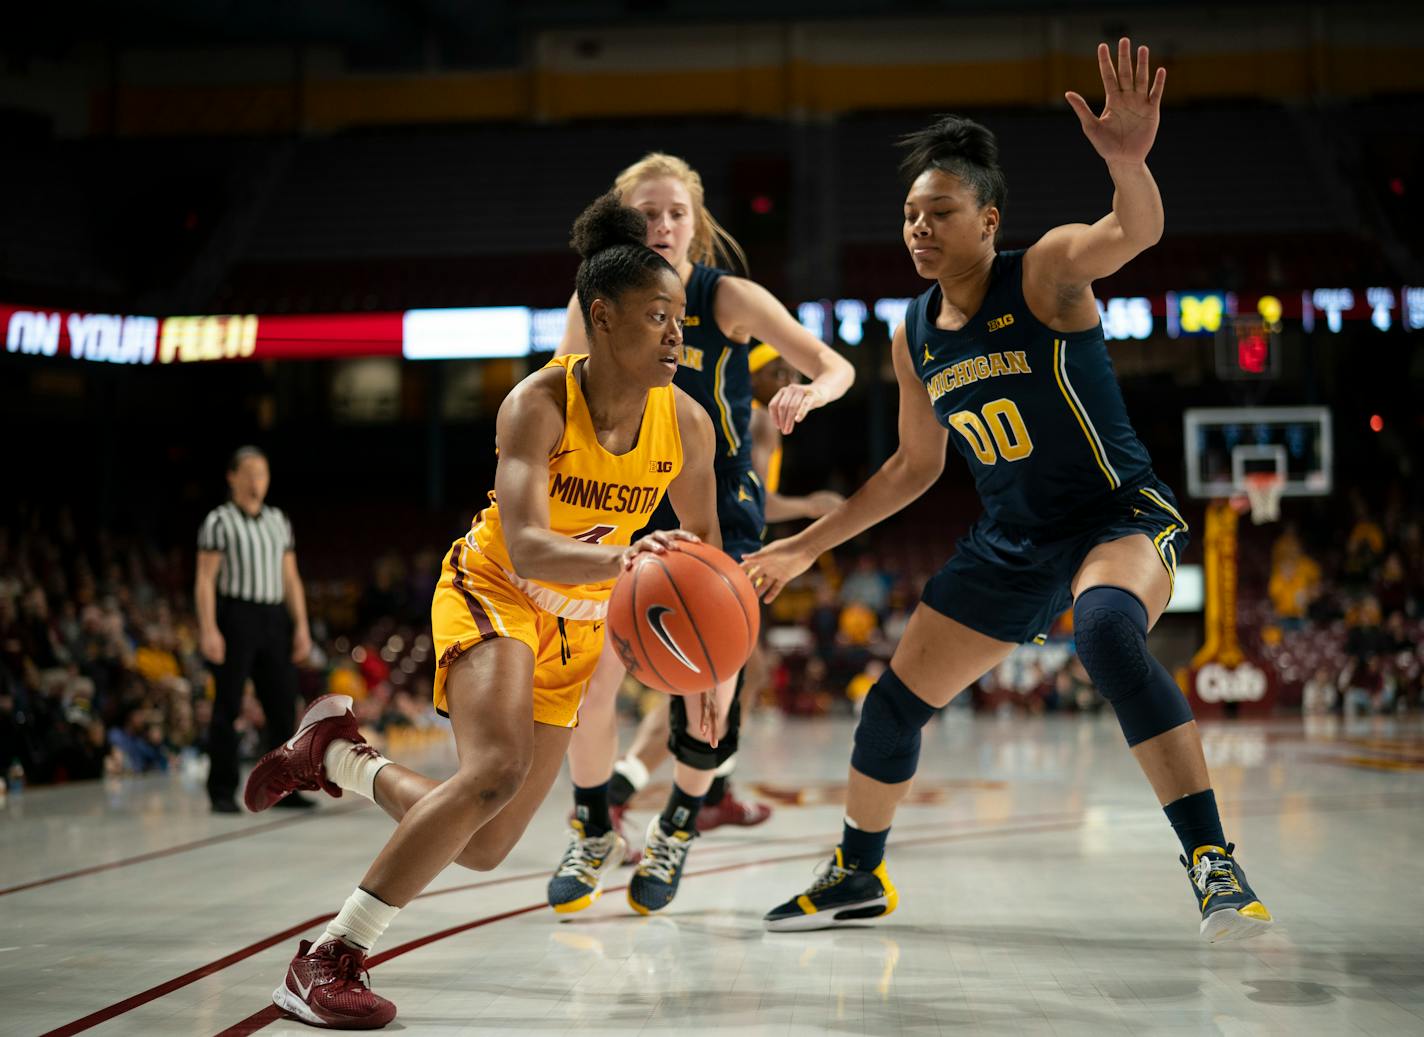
column 328, row 986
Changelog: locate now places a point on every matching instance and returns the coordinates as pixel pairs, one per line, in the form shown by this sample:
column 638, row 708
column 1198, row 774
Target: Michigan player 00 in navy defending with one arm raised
column 1005, row 357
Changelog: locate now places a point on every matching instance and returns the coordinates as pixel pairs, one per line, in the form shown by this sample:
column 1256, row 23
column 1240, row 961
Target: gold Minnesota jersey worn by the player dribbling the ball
column 593, row 495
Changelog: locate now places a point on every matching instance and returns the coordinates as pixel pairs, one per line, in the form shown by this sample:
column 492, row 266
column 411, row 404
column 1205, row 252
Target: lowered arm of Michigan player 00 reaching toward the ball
column 912, row 469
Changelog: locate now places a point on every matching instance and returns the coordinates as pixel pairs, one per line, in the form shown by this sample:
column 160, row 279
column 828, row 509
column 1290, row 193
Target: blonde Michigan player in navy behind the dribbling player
column 724, row 316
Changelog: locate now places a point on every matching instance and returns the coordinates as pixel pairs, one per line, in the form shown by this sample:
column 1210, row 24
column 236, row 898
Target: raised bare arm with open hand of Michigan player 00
column 1079, row 254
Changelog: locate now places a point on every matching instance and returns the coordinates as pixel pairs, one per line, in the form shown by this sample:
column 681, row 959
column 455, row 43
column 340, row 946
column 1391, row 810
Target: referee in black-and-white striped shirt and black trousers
column 251, row 619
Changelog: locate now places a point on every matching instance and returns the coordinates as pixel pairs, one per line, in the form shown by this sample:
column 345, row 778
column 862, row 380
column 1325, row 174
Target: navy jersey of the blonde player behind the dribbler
column 714, row 372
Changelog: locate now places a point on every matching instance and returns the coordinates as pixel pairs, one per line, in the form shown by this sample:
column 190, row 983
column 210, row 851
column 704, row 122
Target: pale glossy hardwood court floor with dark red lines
column 1039, row 881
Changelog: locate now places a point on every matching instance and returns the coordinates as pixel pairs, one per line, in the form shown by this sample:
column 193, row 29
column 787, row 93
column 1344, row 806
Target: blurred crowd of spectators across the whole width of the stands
column 100, row 670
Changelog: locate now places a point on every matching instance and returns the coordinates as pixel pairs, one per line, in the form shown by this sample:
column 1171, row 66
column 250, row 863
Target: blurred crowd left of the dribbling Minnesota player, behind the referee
column 100, row 670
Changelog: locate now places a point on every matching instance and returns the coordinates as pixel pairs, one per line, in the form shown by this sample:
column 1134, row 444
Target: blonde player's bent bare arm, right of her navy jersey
column 745, row 310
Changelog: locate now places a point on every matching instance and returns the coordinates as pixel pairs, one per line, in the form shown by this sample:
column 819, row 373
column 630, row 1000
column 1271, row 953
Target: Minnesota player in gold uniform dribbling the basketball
column 587, row 448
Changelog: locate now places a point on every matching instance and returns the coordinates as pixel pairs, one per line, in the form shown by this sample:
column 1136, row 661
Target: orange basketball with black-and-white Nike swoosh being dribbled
column 684, row 622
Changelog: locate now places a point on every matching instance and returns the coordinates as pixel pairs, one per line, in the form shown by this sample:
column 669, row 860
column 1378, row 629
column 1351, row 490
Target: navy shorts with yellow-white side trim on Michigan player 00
column 1010, row 585
